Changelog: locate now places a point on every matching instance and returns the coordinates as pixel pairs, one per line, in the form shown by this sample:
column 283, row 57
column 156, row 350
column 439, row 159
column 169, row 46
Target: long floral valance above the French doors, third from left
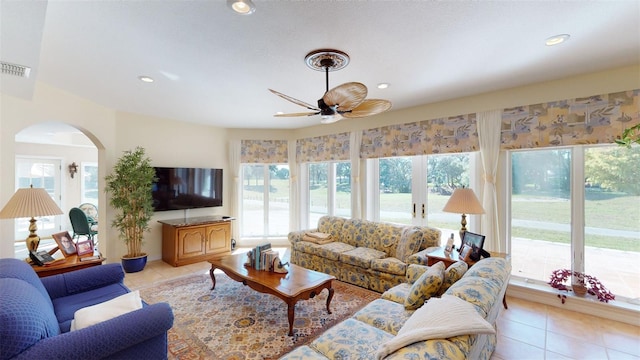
column 442, row 135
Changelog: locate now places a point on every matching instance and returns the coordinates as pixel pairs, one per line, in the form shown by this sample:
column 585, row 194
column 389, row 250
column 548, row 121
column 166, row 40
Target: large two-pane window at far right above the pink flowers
column 577, row 208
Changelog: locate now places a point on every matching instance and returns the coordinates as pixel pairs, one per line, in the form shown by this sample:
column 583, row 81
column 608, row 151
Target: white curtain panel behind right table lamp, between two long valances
column 489, row 125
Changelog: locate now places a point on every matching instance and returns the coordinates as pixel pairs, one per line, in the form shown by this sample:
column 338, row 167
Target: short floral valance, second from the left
column 323, row 148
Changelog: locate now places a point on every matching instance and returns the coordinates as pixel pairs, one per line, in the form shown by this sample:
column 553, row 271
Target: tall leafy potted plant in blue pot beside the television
column 130, row 188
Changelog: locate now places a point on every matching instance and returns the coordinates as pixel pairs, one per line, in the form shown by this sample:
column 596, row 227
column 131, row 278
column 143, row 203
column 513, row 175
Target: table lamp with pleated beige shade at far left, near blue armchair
column 30, row 202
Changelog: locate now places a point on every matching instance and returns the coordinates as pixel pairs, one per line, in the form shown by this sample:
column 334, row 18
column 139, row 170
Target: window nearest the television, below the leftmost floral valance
column 265, row 200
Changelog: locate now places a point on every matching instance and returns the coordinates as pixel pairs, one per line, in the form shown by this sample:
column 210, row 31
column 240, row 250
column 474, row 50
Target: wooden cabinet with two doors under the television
column 191, row 240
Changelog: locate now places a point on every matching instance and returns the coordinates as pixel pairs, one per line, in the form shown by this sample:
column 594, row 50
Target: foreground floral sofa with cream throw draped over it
column 448, row 331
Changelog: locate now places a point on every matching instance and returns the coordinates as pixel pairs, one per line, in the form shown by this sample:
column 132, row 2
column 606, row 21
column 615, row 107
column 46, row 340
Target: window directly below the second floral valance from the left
column 329, row 191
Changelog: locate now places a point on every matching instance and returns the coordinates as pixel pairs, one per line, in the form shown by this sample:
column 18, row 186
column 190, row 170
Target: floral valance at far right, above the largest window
column 589, row 120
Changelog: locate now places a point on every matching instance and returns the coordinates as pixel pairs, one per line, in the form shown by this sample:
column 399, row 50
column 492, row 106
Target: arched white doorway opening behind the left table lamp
column 63, row 160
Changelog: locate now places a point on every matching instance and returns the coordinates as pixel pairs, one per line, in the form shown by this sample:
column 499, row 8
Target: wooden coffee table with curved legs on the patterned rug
column 298, row 284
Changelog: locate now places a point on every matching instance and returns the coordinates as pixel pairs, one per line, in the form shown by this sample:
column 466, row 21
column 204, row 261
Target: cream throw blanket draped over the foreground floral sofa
column 439, row 318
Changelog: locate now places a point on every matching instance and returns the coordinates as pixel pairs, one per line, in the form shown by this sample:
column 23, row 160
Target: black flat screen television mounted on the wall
column 186, row 188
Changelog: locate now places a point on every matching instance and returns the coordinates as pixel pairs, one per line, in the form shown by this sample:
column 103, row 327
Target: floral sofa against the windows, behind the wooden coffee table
column 373, row 255
